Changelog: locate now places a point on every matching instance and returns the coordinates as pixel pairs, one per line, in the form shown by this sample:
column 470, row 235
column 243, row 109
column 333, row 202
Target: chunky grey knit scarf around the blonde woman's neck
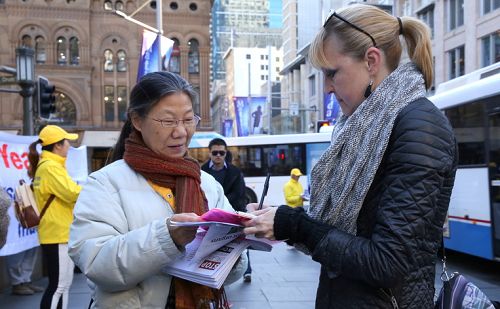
column 341, row 178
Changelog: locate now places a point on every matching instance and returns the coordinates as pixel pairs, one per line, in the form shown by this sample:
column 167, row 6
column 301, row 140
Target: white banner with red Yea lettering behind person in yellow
column 13, row 167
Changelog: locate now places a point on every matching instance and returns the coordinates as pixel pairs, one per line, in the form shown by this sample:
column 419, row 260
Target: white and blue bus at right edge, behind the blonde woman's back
column 472, row 104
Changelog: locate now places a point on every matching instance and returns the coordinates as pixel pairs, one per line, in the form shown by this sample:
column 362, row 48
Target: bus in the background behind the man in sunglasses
column 258, row 155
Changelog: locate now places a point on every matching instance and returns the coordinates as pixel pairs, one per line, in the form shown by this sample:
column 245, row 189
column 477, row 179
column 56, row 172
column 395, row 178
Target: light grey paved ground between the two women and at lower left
column 281, row 279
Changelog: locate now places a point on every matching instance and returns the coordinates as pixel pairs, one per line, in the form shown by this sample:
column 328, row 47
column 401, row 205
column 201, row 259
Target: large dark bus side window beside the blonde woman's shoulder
column 468, row 122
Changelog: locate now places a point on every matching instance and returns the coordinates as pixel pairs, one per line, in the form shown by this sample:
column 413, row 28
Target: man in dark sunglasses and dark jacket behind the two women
column 231, row 178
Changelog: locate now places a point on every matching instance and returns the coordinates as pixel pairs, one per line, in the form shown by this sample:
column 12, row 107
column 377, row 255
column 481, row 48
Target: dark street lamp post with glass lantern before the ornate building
column 26, row 79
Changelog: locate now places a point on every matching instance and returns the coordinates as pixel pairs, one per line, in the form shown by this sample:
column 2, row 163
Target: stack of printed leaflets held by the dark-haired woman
column 209, row 258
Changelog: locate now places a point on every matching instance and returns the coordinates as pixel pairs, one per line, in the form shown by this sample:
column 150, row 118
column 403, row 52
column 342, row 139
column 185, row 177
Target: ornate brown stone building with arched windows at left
column 91, row 55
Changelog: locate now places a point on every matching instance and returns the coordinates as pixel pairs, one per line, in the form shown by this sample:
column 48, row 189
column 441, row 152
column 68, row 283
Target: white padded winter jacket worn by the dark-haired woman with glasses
column 120, row 241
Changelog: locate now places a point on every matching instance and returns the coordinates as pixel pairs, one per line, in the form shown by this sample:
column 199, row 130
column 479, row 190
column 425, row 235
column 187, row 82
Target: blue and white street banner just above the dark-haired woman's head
column 149, row 52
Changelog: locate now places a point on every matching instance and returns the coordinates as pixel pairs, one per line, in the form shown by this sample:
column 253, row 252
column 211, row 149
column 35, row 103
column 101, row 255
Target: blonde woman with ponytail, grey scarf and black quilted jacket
column 380, row 192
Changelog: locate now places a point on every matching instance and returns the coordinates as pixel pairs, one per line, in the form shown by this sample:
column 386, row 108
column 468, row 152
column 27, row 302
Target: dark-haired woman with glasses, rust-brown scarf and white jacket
column 122, row 237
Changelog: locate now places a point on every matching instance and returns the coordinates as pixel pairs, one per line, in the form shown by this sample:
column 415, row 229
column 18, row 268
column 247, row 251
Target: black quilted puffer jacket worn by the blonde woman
column 399, row 226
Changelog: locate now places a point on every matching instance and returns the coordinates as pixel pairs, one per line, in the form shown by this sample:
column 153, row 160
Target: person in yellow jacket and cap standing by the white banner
column 51, row 182
